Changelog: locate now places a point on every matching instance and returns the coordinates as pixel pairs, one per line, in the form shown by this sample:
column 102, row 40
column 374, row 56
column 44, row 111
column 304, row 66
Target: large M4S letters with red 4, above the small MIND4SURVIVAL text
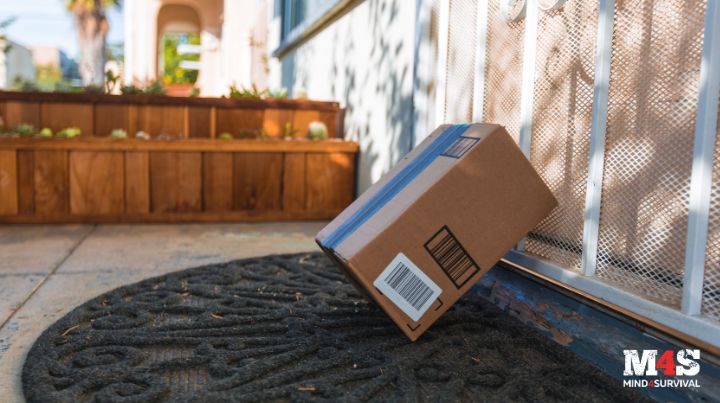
column 670, row 363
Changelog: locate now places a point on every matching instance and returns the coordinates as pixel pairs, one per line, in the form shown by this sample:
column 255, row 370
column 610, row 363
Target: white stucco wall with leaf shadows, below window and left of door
column 364, row 60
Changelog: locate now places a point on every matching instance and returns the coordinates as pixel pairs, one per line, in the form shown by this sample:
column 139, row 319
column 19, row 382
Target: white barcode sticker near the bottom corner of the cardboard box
column 408, row 287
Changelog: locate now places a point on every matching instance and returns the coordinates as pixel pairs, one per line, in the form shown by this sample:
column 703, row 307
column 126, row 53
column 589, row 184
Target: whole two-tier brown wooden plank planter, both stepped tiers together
column 190, row 177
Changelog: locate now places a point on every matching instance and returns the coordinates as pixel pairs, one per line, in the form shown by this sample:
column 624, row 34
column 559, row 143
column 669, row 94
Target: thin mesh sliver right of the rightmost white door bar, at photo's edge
column 711, row 283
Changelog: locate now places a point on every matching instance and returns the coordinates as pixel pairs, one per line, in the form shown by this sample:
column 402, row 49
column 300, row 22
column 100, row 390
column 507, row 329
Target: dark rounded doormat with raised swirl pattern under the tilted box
column 290, row 328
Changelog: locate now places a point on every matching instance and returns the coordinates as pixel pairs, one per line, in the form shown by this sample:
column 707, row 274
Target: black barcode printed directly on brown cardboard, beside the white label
column 451, row 256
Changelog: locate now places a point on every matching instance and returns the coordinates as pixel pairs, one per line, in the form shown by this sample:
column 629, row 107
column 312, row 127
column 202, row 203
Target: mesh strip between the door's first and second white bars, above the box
column 503, row 70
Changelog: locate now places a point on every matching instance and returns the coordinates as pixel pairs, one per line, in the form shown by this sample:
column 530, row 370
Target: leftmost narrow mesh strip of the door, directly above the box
column 460, row 71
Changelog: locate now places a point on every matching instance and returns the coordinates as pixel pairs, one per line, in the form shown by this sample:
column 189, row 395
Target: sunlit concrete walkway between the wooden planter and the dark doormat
column 45, row 271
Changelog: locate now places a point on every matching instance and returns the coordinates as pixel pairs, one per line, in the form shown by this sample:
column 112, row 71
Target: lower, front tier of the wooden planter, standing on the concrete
column 107, row 180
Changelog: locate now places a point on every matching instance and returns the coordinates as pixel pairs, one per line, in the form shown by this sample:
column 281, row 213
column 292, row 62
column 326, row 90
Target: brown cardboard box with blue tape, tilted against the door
column 423, row 235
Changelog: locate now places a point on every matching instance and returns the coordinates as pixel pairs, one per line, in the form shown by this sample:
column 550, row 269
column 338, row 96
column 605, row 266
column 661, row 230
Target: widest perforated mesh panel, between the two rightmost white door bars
column 654, row 76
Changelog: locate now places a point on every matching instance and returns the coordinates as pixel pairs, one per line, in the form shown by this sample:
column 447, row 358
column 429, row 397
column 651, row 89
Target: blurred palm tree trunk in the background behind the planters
column 92, row 26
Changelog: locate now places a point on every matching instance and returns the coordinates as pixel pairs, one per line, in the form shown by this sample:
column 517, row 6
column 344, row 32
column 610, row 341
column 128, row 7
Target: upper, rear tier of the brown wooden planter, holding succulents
column 179, row 117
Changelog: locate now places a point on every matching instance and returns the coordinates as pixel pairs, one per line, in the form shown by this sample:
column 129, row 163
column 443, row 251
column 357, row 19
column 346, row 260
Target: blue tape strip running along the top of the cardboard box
column 395, row 185
